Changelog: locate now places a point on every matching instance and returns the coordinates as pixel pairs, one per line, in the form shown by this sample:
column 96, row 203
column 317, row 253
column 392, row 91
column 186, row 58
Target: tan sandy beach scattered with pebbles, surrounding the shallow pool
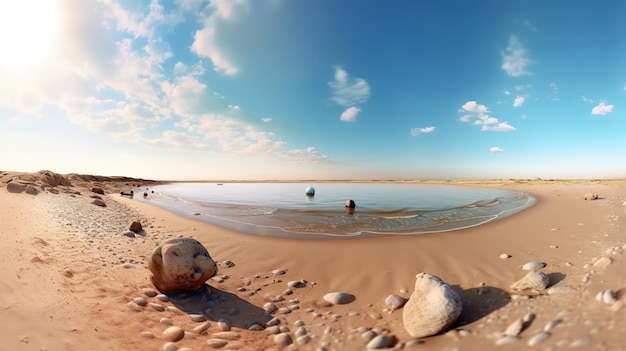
column 69, row 275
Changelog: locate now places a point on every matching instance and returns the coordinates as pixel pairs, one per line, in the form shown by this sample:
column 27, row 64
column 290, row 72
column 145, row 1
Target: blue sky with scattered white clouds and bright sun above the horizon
column 314, row 89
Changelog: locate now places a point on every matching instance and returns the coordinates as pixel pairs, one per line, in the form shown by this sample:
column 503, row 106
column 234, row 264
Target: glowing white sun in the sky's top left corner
column 27, row 31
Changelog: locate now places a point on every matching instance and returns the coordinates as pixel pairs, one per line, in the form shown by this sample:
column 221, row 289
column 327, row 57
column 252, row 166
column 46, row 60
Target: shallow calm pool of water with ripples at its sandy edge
column 283, row 209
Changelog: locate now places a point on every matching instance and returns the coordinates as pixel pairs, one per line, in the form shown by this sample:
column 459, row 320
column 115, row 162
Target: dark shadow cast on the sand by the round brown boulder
column 216, row 304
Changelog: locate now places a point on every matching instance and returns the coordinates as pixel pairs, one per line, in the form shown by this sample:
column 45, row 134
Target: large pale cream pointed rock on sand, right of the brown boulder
column 432, row 307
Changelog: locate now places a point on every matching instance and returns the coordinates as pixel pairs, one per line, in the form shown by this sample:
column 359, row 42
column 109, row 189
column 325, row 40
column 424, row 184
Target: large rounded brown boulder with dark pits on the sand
column 181, row 264
